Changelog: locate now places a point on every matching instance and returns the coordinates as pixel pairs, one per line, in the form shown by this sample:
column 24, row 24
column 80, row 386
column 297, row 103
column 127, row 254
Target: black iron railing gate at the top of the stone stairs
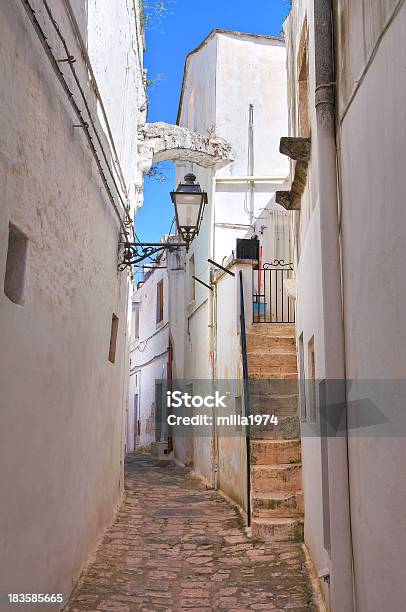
column 271, row 302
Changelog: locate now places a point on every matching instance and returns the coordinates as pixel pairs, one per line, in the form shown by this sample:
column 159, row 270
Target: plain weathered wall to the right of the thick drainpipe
column 372, row 136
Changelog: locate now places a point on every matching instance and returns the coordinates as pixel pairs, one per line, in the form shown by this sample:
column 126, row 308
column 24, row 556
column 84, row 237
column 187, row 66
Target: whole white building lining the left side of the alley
column 63, row 303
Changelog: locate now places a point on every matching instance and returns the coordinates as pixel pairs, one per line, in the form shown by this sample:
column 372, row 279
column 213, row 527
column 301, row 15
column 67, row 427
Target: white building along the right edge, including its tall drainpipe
column 349, row 254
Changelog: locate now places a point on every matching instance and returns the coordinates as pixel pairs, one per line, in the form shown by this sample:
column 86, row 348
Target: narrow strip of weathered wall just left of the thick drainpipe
column 309, row 310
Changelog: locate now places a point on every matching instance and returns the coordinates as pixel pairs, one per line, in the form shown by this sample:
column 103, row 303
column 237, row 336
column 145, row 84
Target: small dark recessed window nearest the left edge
column 16, row 264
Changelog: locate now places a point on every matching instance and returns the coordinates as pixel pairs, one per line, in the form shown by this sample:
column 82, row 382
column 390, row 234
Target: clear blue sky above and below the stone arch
column 170, row 37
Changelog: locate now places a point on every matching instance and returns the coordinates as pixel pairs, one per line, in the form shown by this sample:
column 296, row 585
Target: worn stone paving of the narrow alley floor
column 176, row 546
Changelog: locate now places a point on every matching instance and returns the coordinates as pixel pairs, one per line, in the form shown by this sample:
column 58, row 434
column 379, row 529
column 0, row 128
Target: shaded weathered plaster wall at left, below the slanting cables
column 62, row 400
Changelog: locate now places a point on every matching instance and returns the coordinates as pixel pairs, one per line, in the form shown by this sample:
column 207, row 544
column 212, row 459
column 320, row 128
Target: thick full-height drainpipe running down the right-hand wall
column 336, row 466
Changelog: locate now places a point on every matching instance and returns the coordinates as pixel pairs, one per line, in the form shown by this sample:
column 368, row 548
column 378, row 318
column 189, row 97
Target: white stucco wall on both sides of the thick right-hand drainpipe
column 370, row 132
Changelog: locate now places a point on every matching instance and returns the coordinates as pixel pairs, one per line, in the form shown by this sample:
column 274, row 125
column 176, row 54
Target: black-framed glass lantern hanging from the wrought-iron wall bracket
column 189, row 201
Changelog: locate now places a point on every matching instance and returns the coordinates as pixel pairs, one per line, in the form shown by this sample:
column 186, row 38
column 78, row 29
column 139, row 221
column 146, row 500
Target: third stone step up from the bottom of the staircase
column 276, row 477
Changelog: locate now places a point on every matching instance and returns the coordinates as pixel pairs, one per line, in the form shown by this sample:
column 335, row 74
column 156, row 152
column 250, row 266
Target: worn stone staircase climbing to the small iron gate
column 276, row 489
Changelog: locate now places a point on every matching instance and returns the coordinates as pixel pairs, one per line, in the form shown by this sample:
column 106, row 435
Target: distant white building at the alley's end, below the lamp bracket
column 157, row 329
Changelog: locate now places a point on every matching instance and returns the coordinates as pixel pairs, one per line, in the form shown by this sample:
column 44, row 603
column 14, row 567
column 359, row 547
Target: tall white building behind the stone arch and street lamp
column 234, row 88
